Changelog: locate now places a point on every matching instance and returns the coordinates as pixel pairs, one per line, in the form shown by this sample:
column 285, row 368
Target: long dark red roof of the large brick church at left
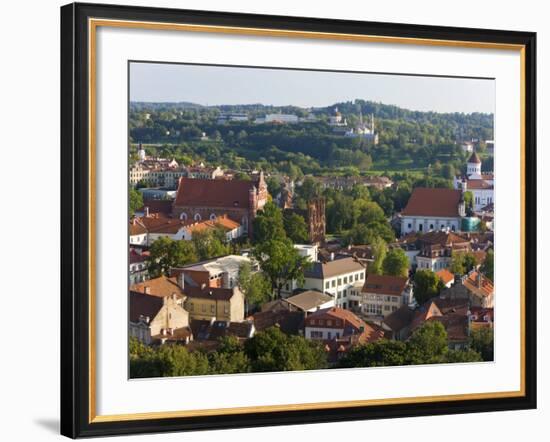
column 213, row 193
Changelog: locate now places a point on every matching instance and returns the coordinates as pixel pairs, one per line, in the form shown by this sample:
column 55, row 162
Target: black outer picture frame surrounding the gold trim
column 75, row 220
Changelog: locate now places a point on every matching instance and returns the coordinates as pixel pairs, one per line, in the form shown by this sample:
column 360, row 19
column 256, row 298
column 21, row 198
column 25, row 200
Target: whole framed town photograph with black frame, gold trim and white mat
column 279, row 220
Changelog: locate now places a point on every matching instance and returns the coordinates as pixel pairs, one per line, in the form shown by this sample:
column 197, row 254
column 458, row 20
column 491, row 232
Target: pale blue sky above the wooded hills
column 216, row 85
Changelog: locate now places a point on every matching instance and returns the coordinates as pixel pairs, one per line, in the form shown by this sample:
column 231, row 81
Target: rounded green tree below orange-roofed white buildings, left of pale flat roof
column 166, row 253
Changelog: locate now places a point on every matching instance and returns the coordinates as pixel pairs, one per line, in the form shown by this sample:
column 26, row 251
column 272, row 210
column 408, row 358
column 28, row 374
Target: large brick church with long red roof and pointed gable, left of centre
column 203, row 199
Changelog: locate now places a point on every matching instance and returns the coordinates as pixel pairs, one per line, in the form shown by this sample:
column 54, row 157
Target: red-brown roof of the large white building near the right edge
column 426, row 201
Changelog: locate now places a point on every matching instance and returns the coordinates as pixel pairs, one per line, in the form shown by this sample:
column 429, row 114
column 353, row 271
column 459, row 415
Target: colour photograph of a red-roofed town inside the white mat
column 285, row 220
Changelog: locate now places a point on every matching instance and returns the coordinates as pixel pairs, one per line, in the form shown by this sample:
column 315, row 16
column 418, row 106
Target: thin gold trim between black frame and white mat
column 93, row 24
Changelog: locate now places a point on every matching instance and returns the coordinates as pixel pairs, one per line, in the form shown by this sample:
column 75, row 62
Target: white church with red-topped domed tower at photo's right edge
column 481, row 185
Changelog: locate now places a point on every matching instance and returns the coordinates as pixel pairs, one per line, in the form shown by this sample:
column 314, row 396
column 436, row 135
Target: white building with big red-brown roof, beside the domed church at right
column 430, row 209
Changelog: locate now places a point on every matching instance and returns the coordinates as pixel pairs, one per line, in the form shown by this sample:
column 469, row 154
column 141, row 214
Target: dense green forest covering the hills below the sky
column 408, row 140
